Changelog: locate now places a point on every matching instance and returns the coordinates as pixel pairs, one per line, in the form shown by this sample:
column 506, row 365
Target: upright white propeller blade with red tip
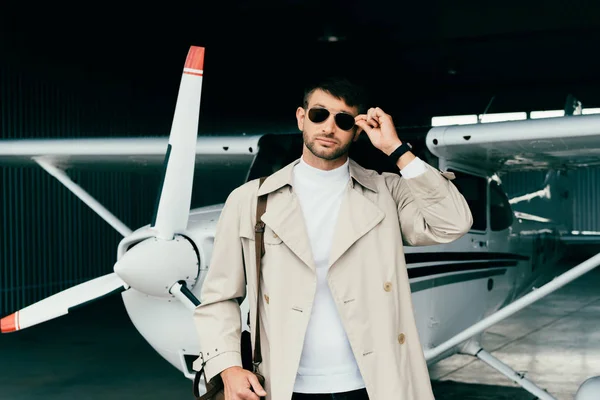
column 173, row 205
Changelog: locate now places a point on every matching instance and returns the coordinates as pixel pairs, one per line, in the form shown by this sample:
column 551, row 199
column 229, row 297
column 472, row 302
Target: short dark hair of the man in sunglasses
column 341, row 88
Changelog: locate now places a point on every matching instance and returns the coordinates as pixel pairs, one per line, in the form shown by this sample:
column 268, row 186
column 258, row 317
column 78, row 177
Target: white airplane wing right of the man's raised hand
column 550, row 143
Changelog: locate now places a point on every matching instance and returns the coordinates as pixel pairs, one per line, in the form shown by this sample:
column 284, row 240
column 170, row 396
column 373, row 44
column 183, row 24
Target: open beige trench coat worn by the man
column 367, row 277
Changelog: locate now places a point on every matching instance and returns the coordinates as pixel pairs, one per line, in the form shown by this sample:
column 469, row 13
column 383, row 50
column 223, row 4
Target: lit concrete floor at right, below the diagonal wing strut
column 555, row 342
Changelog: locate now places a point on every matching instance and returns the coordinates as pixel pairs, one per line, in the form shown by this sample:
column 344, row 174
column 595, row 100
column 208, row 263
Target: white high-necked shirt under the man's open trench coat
column 327, row 364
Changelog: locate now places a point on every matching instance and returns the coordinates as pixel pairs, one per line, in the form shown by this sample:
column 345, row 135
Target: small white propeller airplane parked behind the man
column 459, row 289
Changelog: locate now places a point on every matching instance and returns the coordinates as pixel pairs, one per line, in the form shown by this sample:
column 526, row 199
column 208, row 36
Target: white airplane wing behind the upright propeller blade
column 222, row 162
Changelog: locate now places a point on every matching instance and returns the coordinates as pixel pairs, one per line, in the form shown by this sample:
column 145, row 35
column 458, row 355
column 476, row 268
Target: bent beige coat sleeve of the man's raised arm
column 431, row 210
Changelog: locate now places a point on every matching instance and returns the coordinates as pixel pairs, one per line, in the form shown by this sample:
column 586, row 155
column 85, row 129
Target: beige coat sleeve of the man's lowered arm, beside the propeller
column 218, row 317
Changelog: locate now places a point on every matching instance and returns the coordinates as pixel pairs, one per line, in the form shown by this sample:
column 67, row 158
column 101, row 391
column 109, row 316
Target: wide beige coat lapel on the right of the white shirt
column 357, row 216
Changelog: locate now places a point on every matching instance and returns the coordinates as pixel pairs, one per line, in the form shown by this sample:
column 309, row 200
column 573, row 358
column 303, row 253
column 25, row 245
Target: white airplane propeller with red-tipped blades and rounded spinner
column 164, row 263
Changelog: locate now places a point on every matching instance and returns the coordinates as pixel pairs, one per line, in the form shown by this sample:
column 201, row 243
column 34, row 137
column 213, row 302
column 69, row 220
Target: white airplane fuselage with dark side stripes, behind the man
column 451, row 285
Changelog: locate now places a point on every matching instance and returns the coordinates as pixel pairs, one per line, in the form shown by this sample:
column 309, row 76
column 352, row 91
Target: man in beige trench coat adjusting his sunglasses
column 336, row 314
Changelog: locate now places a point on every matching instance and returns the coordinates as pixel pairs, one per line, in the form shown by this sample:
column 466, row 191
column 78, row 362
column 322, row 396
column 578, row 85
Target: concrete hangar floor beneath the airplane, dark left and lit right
column 96, row 353
